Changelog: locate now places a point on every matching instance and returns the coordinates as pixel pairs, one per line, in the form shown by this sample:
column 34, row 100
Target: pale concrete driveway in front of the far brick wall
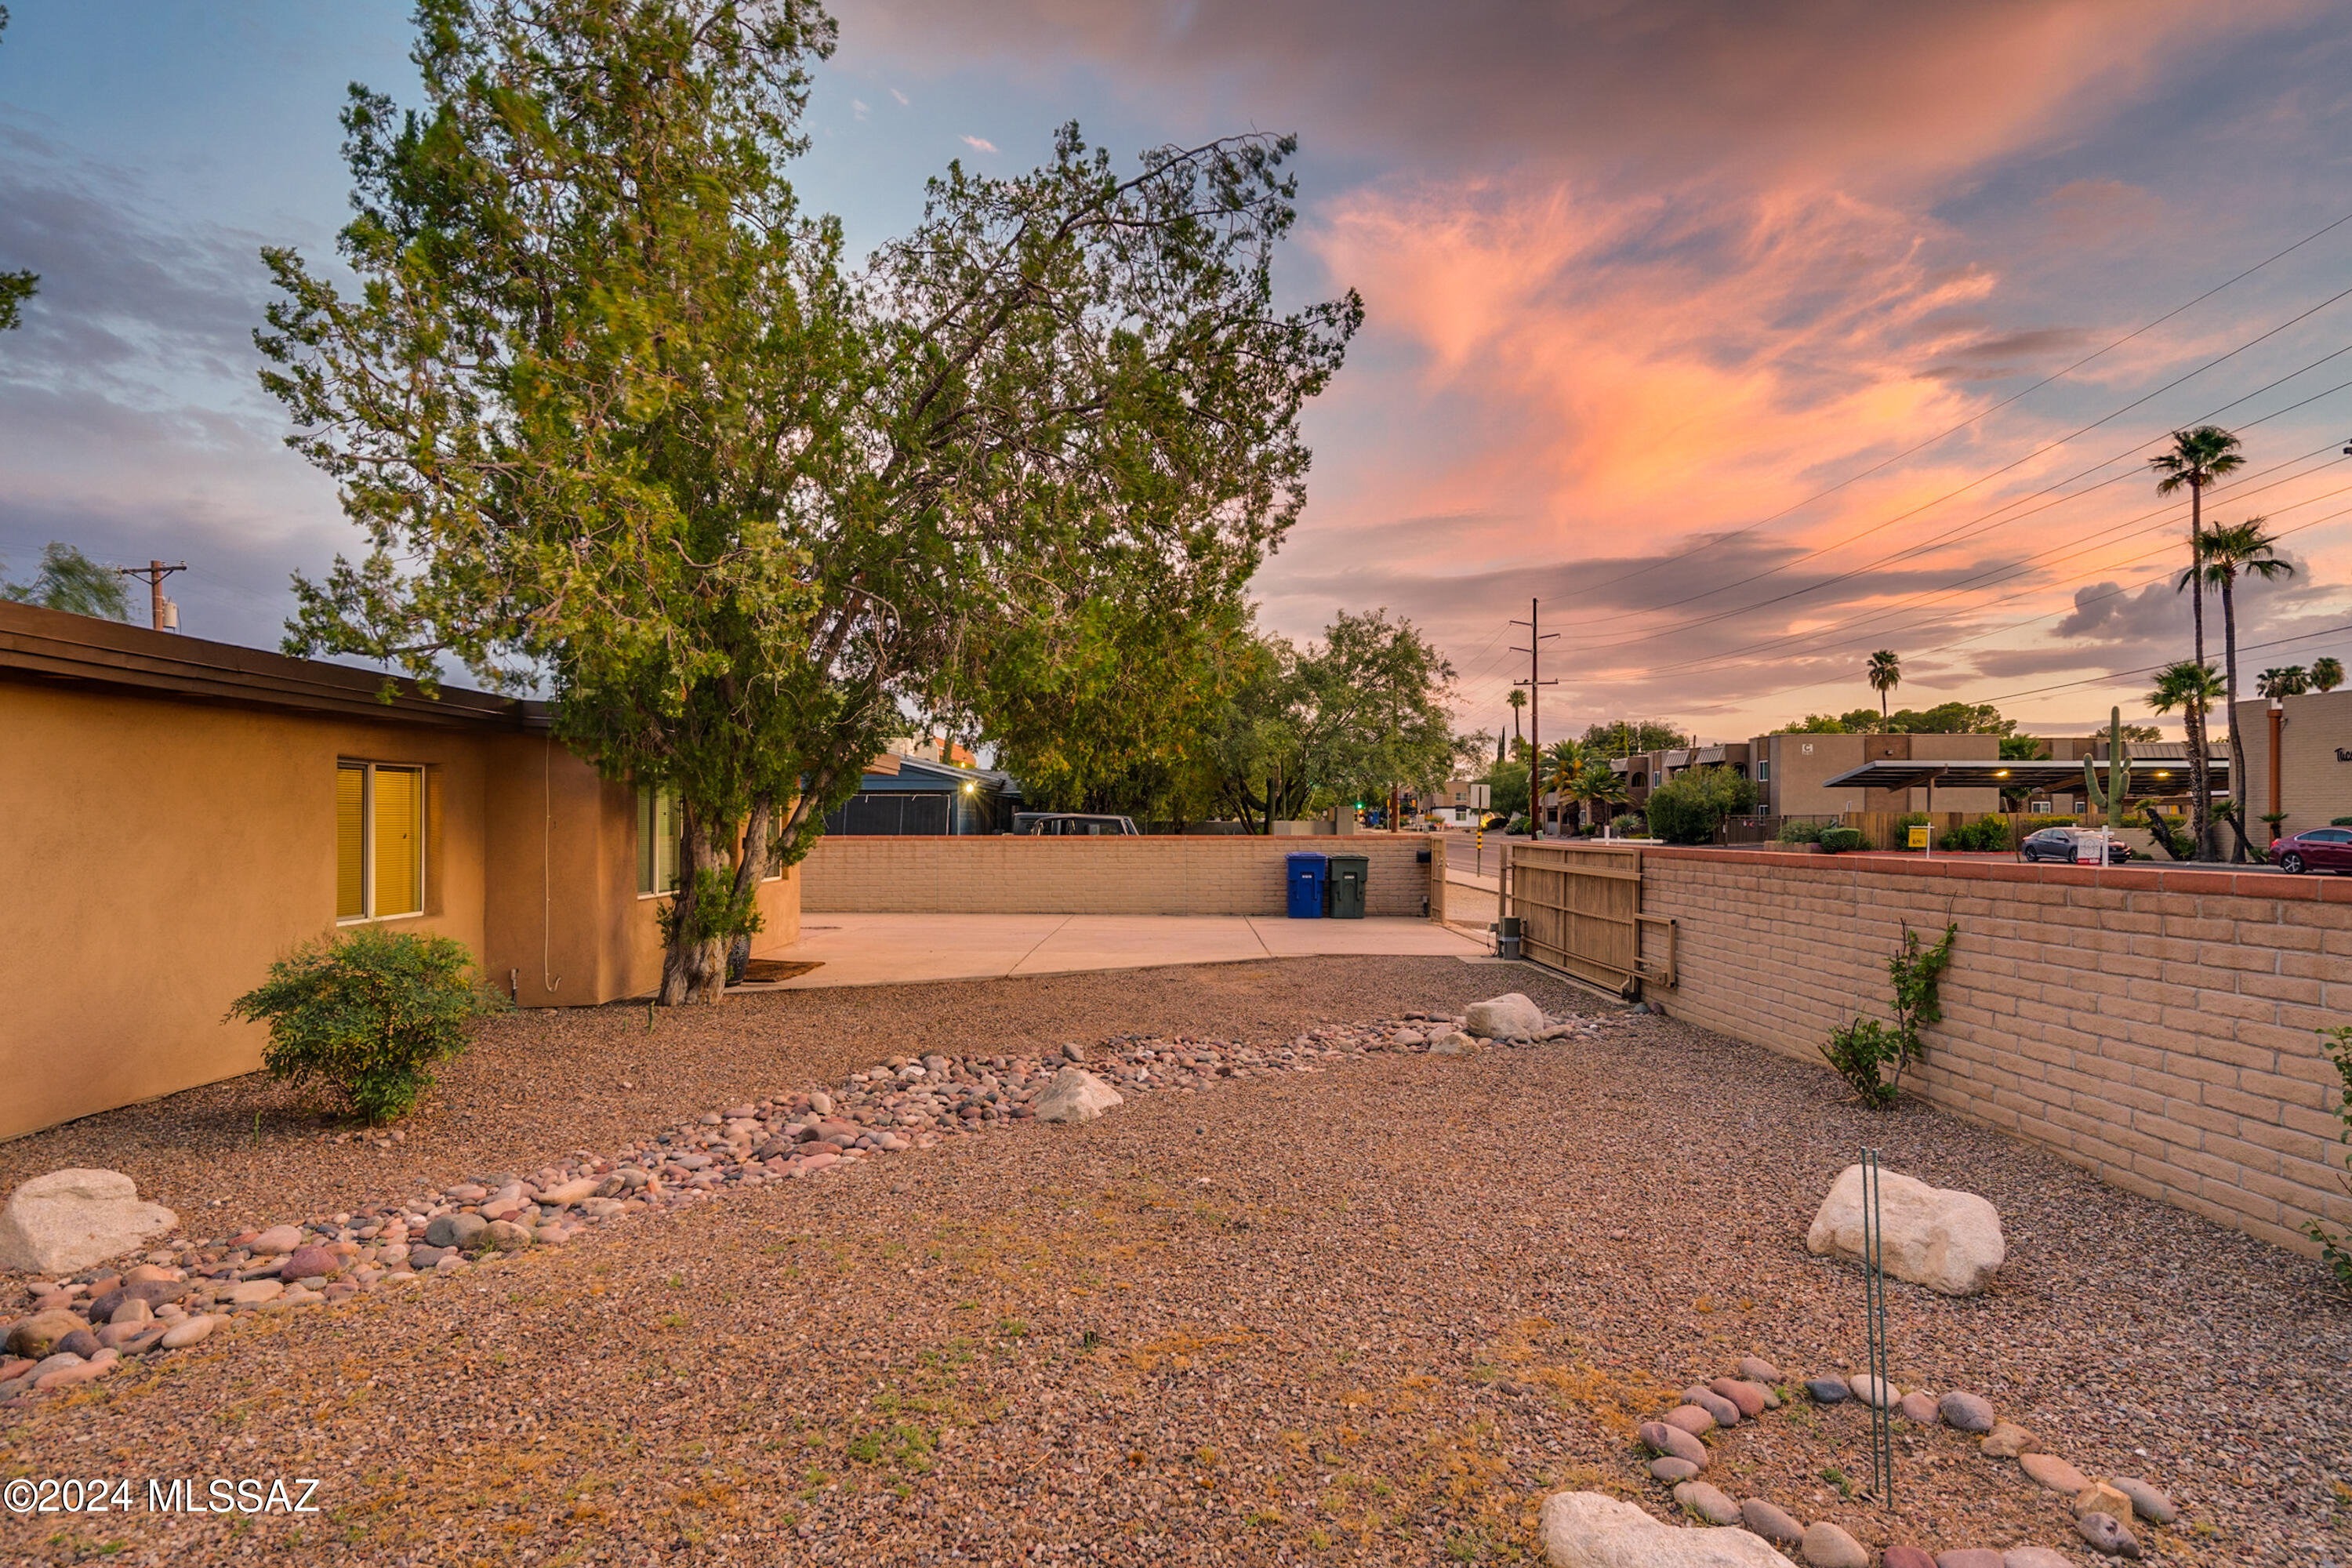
column 900, row 949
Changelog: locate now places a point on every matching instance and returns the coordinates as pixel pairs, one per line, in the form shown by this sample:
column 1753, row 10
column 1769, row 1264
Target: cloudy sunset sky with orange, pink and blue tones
column 1713, row 328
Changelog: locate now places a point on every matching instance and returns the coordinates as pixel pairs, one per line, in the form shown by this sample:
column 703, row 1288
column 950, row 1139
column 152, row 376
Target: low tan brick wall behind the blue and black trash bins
column 1144, row 876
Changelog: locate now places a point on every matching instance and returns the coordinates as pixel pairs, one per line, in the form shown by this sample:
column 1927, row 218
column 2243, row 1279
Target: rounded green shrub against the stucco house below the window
column 368, row 1012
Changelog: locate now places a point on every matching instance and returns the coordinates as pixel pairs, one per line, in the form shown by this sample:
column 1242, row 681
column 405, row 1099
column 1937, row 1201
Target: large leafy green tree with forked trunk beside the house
column 624, row 429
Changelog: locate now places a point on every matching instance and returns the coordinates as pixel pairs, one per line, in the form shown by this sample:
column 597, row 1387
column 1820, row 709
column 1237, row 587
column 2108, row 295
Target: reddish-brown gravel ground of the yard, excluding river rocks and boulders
column 1370, row 1313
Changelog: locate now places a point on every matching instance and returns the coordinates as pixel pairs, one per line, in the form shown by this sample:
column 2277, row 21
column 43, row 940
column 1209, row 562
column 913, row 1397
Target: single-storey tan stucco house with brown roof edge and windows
column 185, row 812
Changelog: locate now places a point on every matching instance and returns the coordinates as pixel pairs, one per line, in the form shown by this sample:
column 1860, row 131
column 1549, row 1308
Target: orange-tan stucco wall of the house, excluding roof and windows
column 163, row 852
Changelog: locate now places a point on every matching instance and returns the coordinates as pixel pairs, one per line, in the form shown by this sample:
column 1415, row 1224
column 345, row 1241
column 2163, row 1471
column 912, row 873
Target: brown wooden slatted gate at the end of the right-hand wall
column 1579, row 911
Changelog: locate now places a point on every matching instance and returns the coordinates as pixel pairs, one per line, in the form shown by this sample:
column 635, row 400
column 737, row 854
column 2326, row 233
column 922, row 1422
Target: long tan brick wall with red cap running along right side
column 2151, row 1026
